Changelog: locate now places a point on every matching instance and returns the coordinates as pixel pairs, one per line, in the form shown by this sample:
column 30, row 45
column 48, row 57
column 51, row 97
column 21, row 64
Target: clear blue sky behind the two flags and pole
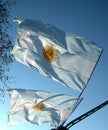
column 88, row 18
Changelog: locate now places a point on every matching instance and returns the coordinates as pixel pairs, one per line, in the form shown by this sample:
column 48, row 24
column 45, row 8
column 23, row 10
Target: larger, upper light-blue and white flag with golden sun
column 64, row 57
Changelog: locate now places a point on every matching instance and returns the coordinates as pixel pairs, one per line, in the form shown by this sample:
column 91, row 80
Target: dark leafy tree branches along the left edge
column 5, row 42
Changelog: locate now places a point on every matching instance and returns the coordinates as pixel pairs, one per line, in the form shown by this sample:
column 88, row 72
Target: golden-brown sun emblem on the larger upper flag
column 50, row 53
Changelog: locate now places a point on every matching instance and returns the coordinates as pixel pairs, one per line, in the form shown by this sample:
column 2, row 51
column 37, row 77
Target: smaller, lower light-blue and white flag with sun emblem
column 40, row 107
